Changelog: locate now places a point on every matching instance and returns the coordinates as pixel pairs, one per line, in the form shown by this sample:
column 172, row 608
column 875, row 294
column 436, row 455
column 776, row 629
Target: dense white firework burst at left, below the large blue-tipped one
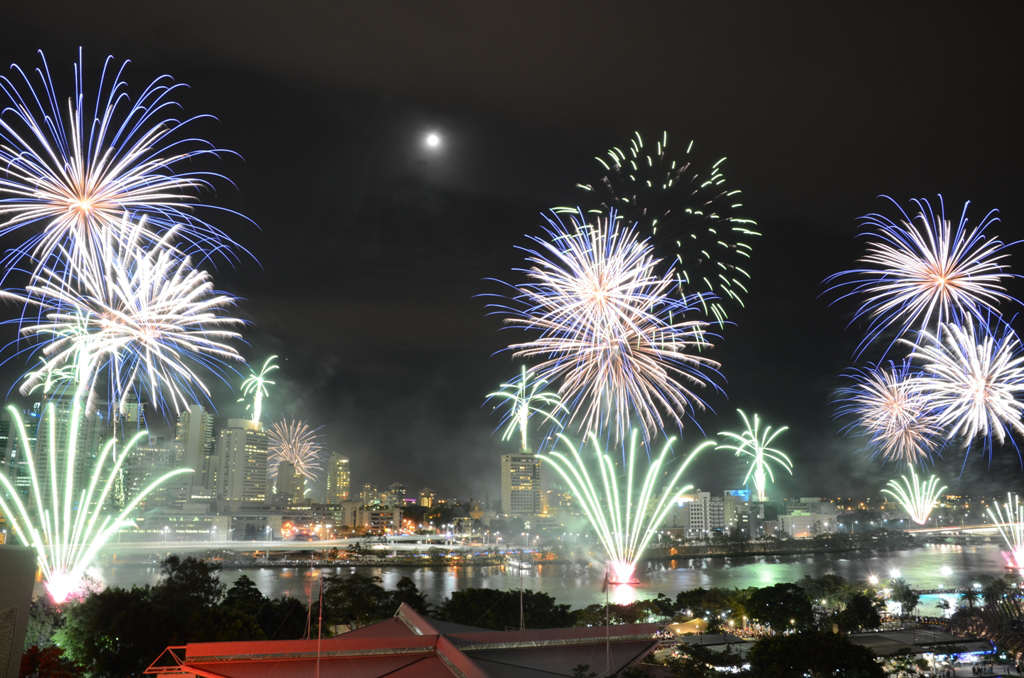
column 140, row 314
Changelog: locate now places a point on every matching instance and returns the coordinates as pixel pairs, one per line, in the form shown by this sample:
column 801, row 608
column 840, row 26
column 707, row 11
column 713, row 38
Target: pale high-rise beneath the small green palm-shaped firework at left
column 241, row 462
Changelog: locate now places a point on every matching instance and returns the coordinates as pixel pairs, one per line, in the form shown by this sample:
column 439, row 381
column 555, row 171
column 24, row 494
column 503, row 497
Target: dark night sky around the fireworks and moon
column 374, row 252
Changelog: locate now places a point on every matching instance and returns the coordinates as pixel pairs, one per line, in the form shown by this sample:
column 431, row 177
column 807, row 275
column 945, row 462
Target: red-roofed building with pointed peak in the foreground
column 410, row 646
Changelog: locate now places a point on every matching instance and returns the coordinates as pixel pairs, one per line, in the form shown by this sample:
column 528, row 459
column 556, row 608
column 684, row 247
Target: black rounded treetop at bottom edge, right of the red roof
column 817, row 653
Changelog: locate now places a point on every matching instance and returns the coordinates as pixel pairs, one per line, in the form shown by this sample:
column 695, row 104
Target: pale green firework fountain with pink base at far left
column 67, row 526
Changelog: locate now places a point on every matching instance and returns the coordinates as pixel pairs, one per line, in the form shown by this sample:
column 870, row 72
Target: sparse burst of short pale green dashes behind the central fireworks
column 694, row 210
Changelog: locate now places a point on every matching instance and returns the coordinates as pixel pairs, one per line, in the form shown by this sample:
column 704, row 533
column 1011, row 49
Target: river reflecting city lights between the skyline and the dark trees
column 927, row 568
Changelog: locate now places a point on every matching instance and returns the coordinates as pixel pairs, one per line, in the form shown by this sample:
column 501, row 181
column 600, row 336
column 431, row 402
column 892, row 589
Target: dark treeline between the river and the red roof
column 118, row 632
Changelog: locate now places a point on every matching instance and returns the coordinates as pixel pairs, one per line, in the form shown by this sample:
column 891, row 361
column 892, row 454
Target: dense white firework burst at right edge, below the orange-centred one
column 974, row 383
